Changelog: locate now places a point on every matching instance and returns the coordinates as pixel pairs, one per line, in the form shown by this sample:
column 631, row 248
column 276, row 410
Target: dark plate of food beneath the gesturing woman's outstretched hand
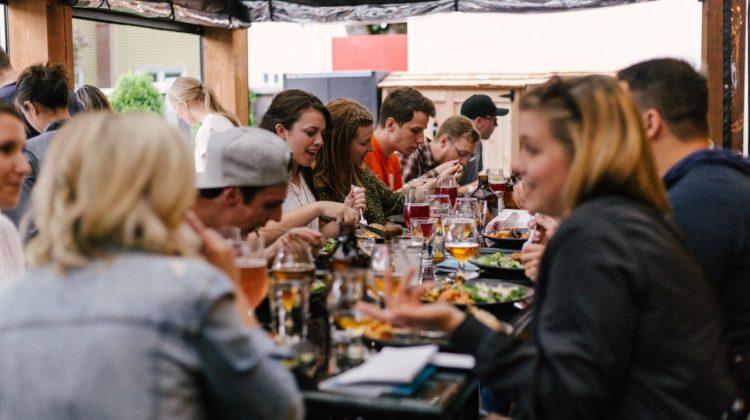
column 379, row 334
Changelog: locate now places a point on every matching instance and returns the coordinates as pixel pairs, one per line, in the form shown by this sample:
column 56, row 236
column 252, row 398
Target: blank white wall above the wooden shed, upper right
column 604, row 39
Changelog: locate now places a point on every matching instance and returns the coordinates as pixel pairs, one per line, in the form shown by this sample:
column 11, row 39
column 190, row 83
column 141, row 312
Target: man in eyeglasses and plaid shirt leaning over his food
column 450, row 151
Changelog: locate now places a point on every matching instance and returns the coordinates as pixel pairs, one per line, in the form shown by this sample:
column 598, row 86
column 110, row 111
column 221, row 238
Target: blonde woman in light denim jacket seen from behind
column 118, row 317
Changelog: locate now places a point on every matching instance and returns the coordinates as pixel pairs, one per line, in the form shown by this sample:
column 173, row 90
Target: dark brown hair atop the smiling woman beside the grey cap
column 287, row 107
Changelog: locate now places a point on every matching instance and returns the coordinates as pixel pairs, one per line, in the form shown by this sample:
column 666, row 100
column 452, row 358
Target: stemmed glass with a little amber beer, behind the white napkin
column 347, row 322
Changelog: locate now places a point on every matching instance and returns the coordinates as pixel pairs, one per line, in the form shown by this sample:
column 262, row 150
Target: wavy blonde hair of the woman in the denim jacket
column 116, row 182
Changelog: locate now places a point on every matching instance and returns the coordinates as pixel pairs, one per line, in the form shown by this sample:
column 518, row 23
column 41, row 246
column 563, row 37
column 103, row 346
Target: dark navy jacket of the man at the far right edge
column 710, row 195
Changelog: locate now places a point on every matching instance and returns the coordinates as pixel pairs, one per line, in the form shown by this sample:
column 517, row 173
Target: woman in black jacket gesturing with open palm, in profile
column 624, row 324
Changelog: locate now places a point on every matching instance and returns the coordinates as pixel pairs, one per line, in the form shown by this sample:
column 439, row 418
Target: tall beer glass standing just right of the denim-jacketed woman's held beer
column 292, row 273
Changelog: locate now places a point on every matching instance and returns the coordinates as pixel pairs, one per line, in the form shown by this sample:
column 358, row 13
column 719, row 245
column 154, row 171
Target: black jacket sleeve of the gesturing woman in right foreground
column 578, row 358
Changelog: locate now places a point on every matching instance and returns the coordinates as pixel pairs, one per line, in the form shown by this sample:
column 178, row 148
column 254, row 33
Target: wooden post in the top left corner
column 40, row 31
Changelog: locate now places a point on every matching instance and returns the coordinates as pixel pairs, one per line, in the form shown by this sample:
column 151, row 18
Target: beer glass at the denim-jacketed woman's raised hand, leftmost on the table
column 251, row 262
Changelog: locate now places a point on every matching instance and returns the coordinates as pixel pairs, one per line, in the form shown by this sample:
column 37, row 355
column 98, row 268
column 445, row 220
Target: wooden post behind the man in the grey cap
column 225, row 69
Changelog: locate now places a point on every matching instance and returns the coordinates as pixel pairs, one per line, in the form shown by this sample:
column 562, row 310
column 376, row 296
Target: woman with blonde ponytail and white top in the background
column 194, row 103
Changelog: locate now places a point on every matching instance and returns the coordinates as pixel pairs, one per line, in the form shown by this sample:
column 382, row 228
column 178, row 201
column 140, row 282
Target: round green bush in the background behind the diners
column 136, row 93
